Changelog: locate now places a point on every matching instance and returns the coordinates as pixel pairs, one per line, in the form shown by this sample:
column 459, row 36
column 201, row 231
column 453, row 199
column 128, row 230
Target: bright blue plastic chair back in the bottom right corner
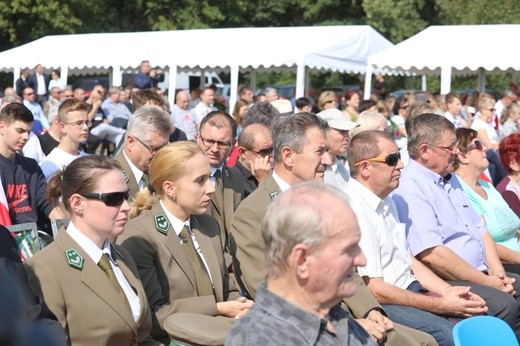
column 483, row 331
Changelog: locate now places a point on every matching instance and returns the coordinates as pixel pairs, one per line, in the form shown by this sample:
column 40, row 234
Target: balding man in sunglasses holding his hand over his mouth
column 255, row 149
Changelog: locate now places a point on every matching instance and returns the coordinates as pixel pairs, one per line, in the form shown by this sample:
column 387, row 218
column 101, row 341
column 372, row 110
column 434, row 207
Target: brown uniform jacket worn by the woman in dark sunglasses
column 86, row 304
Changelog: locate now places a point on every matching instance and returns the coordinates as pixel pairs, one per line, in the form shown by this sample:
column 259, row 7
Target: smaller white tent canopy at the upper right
column 451, row 50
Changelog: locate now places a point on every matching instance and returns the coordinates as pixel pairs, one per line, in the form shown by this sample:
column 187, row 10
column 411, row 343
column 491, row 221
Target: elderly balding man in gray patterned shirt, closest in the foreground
column 312, row 251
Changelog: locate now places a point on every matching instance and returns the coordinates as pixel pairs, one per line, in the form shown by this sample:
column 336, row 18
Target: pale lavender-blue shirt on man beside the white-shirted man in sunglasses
column 437, row 212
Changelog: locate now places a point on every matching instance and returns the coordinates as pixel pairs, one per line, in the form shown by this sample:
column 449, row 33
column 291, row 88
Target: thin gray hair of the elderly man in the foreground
column 296, row 217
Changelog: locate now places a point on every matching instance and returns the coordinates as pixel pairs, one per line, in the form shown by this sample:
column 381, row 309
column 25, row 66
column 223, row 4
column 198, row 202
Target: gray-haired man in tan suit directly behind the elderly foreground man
column 300, row 152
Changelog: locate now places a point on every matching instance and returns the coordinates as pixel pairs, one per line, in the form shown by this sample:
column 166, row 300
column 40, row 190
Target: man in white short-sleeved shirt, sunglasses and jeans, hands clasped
column 394, row 277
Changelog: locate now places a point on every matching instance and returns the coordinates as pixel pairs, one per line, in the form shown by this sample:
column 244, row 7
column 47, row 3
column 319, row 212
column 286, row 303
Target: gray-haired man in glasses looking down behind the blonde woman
column 148, row 131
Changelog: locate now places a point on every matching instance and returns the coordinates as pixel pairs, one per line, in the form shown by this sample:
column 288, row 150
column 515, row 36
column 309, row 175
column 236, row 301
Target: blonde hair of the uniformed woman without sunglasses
column 169, row 164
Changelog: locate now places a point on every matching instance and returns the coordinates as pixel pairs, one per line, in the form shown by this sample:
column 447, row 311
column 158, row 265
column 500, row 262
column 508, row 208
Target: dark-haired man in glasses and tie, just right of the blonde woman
column 216, row 138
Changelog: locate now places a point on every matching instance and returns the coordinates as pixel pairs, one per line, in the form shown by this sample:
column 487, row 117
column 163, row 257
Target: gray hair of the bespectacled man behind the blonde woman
column 149, row 119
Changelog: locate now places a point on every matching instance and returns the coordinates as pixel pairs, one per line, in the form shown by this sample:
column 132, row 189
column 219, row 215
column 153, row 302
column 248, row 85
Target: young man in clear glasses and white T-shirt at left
column 73, row 125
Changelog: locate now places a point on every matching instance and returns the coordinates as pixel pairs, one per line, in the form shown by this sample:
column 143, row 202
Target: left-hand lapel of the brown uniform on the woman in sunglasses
column 93, row 277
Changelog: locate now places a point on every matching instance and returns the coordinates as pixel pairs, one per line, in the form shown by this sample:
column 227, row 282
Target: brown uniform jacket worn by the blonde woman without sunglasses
column 165, row 269
